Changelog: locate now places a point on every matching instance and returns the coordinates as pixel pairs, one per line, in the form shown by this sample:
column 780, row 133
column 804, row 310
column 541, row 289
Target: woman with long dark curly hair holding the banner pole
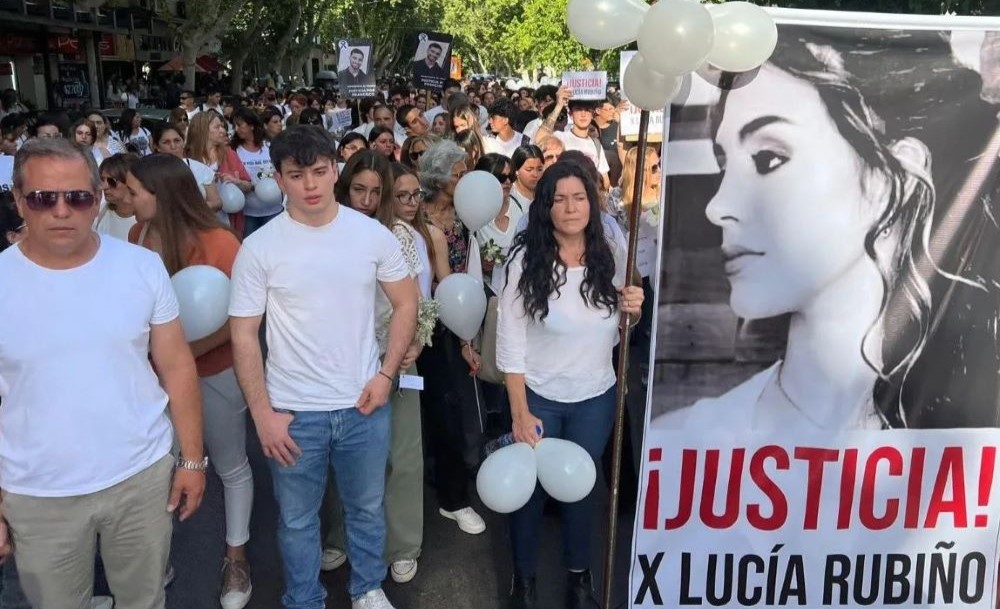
column 564, row 293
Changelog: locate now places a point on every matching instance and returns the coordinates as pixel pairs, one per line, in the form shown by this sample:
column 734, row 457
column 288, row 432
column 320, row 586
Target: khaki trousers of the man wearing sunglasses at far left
column 55, row 541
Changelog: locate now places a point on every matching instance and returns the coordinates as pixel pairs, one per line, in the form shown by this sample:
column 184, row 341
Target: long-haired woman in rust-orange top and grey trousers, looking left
column 174, row 221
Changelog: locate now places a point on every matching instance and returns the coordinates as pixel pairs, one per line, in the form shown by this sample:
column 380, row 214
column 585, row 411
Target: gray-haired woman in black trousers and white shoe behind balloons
column 449, row 364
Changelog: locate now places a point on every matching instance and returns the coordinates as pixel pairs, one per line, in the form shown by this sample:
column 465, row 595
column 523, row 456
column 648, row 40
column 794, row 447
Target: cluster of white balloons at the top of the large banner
column 675, row 37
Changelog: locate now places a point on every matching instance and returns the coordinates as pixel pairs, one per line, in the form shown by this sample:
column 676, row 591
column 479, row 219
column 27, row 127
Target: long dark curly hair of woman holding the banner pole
column 544, row 271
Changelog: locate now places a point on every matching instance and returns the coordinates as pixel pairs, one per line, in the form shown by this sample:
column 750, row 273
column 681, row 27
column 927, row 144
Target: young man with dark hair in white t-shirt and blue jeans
column 314, row 270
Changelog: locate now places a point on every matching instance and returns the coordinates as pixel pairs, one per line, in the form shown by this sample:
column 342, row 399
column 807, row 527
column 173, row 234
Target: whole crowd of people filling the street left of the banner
column 336, row 274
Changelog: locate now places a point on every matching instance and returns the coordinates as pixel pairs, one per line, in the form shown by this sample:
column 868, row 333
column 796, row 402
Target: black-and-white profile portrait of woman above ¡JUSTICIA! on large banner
column 852, row 216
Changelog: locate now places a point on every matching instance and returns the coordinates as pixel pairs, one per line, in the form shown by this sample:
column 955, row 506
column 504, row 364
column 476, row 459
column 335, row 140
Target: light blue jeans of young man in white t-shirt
column 357, row 447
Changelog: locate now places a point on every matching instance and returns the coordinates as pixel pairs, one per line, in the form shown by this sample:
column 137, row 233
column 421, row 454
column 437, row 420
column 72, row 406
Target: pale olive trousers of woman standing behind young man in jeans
column 404, row 484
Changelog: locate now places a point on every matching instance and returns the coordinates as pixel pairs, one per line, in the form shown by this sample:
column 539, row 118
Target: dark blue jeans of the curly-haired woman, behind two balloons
column 588, row 423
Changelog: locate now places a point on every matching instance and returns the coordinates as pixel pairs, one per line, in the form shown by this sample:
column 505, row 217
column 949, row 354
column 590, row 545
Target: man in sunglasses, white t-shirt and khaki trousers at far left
column 87, row 443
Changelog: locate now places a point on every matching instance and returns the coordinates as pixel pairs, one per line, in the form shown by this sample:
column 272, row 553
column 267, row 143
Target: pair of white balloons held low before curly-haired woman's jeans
column 507, row 479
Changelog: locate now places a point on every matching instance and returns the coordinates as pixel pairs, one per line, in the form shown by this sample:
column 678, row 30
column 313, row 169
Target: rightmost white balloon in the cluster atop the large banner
column 745, row 36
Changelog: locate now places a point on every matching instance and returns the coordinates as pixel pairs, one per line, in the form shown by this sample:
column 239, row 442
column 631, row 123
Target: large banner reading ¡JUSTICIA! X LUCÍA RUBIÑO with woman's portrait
column 823, row 425
